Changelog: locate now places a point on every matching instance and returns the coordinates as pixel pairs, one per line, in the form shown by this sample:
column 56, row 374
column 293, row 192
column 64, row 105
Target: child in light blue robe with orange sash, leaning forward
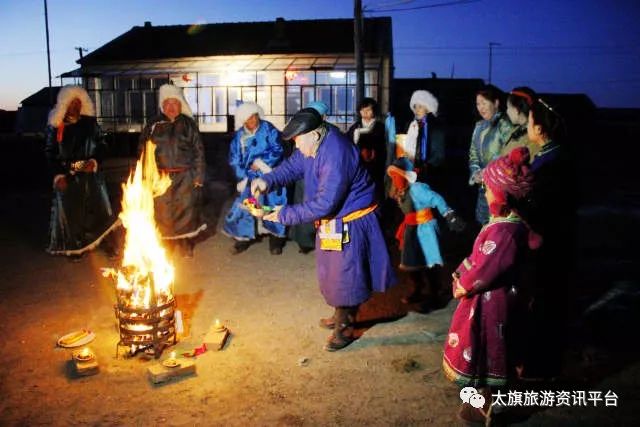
column 418, row 233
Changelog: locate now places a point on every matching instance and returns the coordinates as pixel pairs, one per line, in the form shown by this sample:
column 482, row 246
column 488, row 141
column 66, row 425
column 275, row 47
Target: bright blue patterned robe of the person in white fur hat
column 264, row 144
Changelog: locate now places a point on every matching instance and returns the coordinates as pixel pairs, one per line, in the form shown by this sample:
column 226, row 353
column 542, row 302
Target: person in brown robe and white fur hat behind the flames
column 179, row 153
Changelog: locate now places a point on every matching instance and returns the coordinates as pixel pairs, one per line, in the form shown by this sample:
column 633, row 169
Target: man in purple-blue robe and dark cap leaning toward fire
column 351, row 255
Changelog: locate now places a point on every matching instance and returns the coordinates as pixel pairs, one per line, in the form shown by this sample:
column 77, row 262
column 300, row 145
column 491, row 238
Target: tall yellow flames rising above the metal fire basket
column 145, row 270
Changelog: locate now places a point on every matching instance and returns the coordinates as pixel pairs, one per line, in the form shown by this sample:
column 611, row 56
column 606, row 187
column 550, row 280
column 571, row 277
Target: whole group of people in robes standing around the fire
column 333, row 184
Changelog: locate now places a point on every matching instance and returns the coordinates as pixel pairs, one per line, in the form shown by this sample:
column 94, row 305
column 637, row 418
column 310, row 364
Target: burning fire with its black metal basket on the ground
column 145, row 306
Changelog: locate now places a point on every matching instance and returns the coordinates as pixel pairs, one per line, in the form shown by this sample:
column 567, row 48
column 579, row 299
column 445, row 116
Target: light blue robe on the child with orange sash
column 424, row 197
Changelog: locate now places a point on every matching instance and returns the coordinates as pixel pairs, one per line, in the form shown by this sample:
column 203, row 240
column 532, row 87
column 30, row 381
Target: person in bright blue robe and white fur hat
column 256, row 148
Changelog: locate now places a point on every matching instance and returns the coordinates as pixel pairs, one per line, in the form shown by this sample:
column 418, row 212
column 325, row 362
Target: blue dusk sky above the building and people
column 568, row 46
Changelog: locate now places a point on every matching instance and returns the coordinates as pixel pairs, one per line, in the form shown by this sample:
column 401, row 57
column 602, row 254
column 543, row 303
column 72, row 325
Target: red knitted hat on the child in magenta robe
column 509, row 175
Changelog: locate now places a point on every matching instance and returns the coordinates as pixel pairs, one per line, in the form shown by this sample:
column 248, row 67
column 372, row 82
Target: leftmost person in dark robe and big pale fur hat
column 81, row 213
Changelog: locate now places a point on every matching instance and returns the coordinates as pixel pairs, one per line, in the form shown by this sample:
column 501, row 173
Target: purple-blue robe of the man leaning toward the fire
column 336, row 184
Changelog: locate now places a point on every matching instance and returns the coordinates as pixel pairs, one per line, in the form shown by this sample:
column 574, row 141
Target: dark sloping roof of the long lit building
column 319, row 36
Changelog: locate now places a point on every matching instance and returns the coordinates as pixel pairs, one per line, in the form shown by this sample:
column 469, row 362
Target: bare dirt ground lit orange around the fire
column 273, row 370
